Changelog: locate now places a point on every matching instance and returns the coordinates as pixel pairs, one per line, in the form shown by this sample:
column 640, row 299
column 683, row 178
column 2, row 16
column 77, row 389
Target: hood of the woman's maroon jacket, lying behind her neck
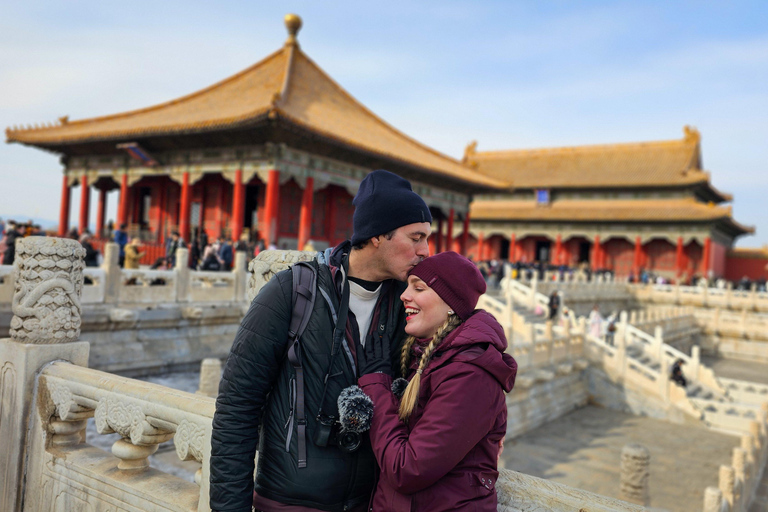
column 480, row 341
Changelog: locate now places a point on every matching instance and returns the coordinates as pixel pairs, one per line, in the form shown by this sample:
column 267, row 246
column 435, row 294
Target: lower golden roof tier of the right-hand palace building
column 614, row 210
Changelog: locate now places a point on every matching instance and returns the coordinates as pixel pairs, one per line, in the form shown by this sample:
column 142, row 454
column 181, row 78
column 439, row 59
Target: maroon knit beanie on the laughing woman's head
column 454, row 278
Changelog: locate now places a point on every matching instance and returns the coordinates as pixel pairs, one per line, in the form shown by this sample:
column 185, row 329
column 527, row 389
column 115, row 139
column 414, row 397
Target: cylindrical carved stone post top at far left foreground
column 49, row 283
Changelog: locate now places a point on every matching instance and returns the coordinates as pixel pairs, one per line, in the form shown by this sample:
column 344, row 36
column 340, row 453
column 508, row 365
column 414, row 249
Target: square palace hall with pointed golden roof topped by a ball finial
column 277, row 150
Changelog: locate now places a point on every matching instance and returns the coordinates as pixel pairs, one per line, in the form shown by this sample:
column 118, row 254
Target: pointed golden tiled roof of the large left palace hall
column 286, row 84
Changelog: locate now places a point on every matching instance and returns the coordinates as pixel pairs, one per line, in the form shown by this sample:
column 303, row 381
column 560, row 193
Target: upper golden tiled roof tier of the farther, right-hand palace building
column 653, row 164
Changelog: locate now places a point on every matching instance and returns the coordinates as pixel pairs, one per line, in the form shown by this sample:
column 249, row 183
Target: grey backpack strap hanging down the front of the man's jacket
column 303, row 297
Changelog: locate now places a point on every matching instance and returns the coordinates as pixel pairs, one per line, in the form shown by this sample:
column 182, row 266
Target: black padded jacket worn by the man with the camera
column 256, row 397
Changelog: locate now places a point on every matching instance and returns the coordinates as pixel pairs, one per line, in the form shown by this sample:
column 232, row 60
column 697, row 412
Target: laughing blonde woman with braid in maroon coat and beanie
column 438, row 447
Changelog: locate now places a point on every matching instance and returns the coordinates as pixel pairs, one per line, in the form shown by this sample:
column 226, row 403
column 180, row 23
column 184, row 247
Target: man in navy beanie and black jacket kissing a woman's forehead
column 257, row 403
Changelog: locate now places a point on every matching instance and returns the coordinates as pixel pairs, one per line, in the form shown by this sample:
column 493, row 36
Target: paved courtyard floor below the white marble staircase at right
column 583, row 449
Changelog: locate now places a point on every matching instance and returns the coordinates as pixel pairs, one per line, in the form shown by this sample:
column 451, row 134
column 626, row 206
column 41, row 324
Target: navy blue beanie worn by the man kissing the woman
column 385, row 202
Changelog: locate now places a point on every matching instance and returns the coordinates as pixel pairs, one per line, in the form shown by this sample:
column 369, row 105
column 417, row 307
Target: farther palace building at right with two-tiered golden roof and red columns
column 621, row 207
